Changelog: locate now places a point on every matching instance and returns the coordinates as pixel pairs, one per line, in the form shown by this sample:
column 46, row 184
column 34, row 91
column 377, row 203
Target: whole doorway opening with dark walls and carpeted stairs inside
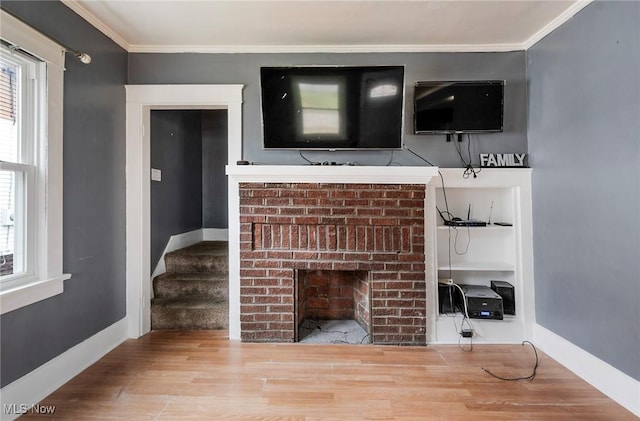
column 188, row 198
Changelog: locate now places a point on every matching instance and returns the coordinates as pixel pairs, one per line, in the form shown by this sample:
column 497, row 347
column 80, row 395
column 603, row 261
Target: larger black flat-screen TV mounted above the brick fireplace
column 329, row 108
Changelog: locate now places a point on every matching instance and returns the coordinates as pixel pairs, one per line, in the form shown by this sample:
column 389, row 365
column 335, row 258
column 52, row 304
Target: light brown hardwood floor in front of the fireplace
column 193, row 375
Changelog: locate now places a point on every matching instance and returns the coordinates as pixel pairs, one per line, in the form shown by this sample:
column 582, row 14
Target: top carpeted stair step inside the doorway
column 207, row 256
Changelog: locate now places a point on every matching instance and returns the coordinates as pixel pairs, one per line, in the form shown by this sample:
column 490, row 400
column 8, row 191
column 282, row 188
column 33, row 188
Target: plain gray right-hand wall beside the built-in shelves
column 584, row 141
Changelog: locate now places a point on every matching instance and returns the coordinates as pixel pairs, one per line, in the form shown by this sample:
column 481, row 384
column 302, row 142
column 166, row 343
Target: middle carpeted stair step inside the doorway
column 214, row 286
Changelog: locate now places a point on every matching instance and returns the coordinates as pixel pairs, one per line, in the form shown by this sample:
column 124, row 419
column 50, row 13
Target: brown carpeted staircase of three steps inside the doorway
column 194, row 291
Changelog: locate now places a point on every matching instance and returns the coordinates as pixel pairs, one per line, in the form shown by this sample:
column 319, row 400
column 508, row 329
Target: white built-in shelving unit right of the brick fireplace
column 477, row 255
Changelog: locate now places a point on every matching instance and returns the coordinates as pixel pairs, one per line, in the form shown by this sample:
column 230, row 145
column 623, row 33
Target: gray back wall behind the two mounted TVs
column 245, row 69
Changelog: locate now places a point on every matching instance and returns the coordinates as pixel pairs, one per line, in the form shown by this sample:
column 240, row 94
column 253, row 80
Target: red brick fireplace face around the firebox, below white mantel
column 363, row 227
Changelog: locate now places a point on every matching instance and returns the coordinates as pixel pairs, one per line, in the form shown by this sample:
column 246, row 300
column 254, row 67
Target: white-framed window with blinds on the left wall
column 30, row 166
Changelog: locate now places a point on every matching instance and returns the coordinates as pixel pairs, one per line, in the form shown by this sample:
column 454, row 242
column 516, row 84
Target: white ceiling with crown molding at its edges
column 325, row 25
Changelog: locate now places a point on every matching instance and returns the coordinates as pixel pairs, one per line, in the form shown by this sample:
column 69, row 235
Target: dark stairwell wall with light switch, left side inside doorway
column 176, row 201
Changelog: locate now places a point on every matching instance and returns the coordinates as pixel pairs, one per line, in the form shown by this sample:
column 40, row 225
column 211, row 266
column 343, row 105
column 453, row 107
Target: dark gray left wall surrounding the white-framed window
column 94, row 200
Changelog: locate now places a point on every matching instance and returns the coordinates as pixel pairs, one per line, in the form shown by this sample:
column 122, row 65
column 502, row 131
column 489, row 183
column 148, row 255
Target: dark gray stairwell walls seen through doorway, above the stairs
column 189, row 186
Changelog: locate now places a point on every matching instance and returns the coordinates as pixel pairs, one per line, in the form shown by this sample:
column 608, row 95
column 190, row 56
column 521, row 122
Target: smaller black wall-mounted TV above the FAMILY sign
column 458, row 107
